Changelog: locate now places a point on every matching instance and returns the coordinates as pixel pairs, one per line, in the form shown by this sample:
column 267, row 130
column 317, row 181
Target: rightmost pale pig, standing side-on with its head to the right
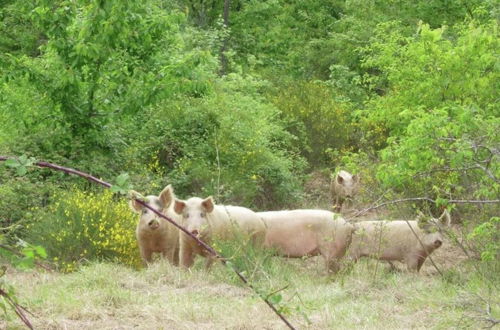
column 395, row 241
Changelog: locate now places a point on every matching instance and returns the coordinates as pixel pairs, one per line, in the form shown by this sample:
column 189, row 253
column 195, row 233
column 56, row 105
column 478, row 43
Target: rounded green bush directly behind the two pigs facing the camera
column 230, row 144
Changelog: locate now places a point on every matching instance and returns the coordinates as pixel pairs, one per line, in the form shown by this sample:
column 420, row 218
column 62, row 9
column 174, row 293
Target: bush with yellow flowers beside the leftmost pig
column 81, row 226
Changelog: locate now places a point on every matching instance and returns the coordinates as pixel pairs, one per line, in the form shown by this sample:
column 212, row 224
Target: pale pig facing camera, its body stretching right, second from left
column 208, row 221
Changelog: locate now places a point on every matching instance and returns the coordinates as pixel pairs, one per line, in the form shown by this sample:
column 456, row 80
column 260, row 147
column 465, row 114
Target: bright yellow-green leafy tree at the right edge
column 437, row 130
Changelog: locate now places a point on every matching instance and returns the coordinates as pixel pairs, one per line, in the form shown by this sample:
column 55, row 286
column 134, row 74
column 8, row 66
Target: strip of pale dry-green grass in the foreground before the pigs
column 367, row 296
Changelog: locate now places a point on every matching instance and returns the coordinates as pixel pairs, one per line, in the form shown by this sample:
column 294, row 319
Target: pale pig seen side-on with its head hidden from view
column 299, row 233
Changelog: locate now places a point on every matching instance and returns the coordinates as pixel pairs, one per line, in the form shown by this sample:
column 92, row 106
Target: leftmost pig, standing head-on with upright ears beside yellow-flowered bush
column 155, row 234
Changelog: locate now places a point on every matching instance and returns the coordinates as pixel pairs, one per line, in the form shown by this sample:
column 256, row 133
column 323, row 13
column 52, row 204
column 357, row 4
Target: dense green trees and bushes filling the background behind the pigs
column 247, row 101
